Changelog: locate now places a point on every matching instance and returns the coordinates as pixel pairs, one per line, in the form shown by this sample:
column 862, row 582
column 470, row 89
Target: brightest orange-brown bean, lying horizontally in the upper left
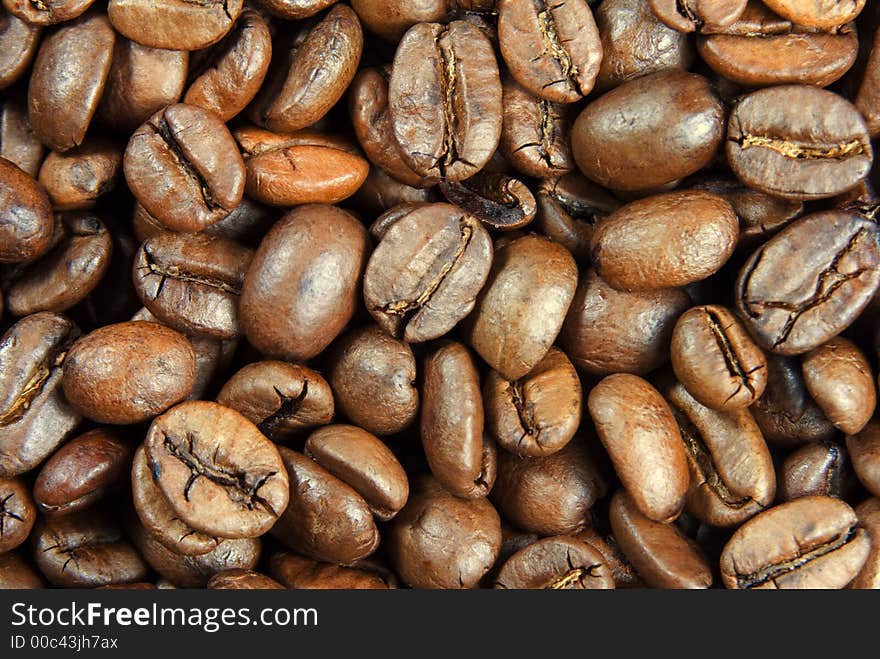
column 288, row 170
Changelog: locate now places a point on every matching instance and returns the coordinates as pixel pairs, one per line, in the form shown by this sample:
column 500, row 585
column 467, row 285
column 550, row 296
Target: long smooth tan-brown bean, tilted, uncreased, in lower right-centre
column 642, row 438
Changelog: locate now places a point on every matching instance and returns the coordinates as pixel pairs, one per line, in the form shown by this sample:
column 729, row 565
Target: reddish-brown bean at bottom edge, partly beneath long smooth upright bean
column 662, row 554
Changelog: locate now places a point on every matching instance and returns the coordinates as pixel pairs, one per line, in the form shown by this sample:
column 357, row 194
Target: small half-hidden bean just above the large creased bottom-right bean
column 821, row 468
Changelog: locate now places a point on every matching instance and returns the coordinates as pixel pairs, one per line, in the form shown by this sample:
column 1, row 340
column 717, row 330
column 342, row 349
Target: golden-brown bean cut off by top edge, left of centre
column 174, row 24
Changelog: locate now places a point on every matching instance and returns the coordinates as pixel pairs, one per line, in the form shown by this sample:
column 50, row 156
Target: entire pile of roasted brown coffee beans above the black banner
column 440, row 294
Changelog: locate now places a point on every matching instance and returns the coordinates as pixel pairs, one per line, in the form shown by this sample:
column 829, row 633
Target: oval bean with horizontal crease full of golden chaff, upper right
column 798, row 142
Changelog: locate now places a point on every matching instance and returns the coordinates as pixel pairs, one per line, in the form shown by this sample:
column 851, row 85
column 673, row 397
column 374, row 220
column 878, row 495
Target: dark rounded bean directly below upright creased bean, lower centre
column 550, row 495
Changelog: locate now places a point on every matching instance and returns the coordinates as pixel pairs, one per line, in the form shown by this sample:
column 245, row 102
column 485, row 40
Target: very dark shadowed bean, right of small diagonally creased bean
column 786, row 413
